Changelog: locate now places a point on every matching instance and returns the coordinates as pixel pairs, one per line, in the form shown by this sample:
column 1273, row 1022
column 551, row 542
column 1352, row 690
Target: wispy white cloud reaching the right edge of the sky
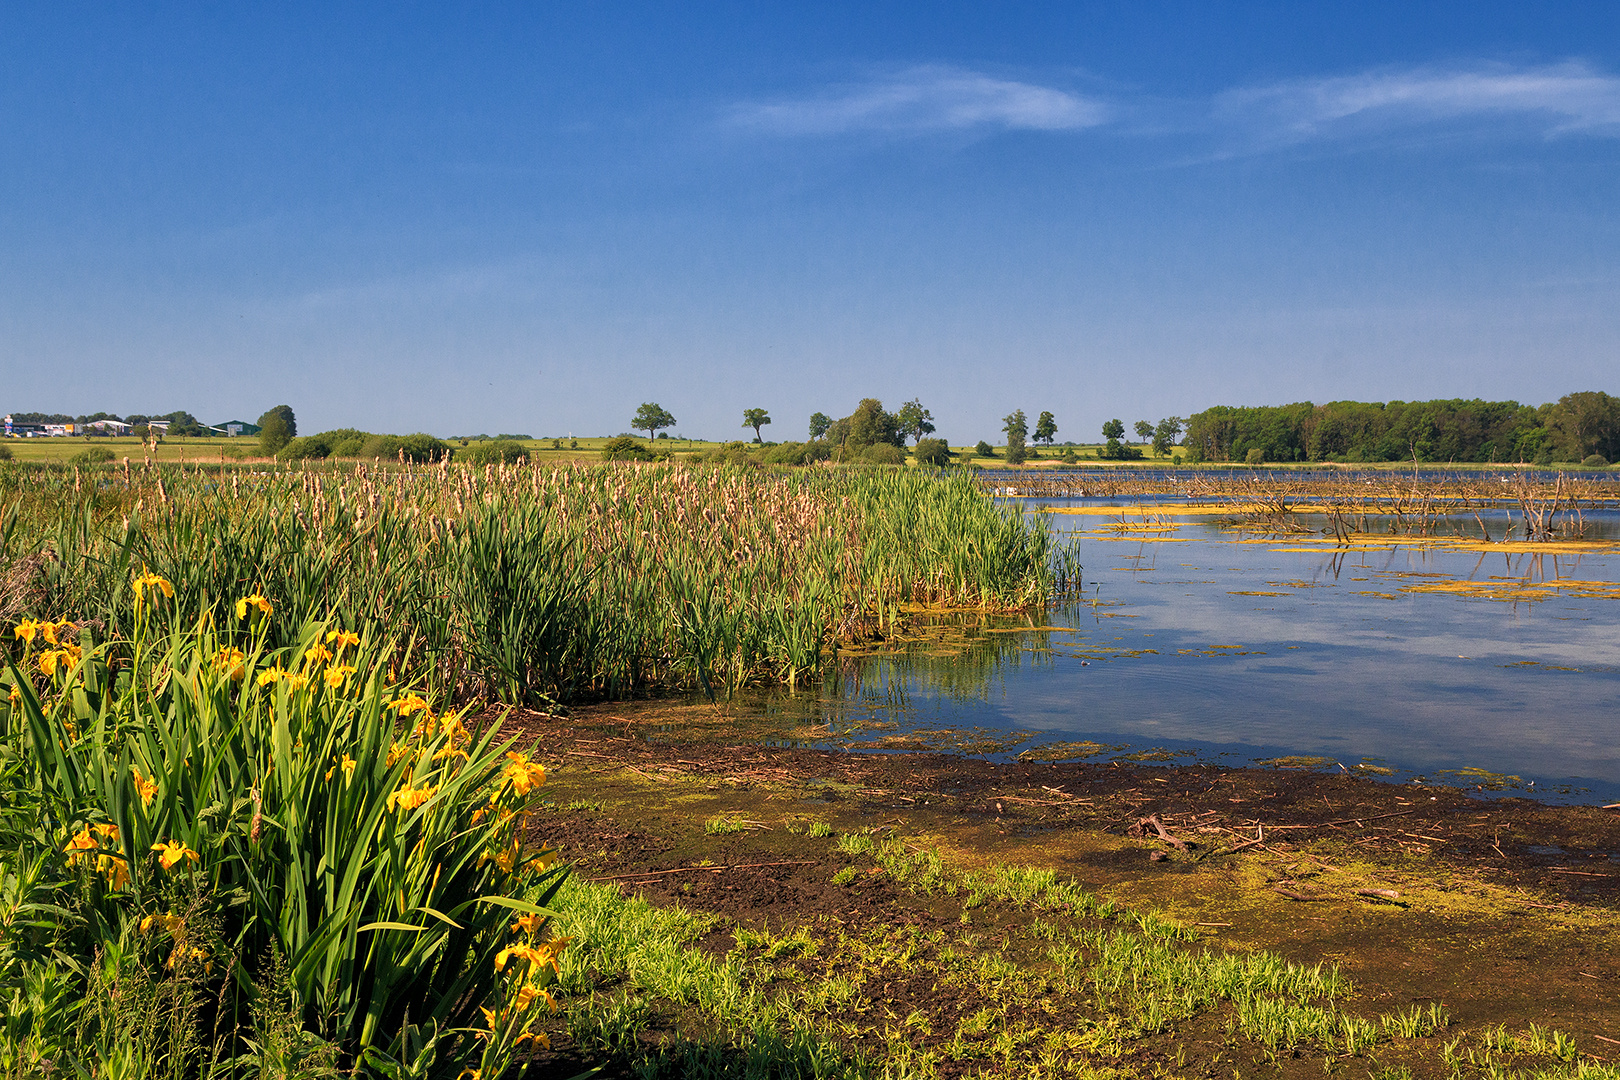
column 1553, row 100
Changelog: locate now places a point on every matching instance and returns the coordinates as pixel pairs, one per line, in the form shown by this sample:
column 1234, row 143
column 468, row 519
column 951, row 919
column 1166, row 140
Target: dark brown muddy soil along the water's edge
column 1503, row 909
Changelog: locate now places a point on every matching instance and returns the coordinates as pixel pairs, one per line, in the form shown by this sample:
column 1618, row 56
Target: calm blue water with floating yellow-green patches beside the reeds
column 1208, row 647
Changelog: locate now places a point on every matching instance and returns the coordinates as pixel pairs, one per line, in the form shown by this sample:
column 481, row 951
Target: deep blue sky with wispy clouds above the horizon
column 535, row 218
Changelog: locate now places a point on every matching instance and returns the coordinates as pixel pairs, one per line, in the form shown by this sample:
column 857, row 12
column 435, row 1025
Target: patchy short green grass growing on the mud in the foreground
column 1057, row 984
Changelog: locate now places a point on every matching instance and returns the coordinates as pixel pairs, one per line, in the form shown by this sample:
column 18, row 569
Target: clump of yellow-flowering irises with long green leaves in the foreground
column 223, row 806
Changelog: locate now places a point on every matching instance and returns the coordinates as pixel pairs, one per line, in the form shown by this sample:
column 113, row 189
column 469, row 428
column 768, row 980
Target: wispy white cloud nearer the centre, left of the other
column 919, row 101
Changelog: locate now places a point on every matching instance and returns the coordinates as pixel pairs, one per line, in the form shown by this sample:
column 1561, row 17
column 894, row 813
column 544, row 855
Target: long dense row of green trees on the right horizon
column 1575, row 428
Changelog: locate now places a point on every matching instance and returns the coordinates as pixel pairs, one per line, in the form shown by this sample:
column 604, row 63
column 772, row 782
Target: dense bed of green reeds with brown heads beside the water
column 535, row 584
